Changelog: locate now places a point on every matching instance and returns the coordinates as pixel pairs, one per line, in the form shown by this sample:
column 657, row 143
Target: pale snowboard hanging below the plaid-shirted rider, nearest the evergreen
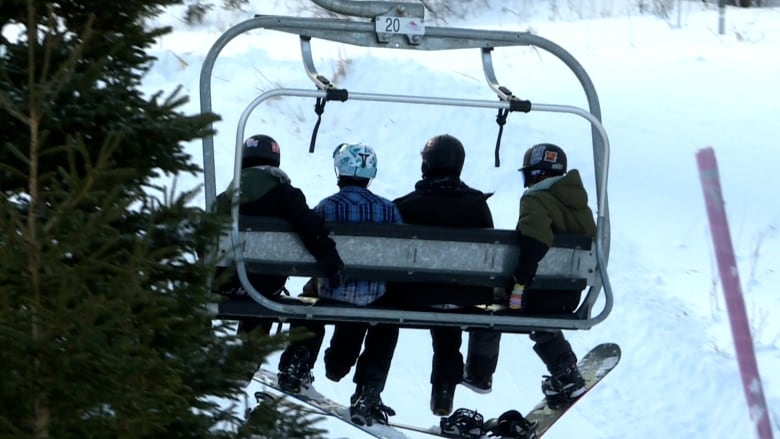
column 314, row 402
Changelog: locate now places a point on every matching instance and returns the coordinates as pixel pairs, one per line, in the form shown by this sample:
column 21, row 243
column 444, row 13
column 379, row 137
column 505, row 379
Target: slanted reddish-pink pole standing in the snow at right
column 735, row 304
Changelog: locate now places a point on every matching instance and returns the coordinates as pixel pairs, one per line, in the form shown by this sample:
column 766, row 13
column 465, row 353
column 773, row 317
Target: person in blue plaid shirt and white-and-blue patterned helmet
column 355, row 166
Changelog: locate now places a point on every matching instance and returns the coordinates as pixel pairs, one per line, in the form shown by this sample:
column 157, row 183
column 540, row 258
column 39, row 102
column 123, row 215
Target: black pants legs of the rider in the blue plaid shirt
column 373, row 363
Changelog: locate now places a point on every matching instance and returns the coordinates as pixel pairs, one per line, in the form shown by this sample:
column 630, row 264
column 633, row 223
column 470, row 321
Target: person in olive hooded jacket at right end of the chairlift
column 555, row 201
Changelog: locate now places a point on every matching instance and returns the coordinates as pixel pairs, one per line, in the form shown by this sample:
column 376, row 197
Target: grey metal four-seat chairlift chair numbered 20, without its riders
column 408, row 253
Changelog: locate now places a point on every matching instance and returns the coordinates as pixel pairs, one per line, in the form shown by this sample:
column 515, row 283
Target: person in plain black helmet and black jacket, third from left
column 442, row 199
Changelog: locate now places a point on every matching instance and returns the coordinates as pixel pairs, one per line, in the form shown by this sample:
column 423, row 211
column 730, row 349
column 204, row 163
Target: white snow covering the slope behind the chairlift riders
column 667, row 89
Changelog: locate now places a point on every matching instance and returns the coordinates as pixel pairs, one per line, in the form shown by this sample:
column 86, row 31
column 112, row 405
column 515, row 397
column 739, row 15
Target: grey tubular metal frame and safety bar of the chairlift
column 367, row 34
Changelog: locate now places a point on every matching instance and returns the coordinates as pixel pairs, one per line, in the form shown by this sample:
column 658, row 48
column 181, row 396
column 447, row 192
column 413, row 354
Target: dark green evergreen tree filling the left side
column 103, row 320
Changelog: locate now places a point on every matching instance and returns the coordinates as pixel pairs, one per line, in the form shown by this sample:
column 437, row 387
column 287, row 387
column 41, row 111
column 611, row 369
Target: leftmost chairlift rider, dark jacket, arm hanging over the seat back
column 266, row 192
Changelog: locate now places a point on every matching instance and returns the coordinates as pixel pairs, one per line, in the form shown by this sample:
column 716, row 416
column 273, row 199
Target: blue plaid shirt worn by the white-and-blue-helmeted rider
column 354, row 204
